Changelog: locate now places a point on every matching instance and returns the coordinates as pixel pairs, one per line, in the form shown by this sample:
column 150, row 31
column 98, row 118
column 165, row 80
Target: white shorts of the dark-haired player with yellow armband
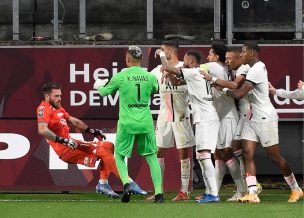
column 226, row 133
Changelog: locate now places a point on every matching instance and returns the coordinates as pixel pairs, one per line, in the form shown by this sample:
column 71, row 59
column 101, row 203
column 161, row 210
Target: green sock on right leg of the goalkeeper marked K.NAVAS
column 155, row 172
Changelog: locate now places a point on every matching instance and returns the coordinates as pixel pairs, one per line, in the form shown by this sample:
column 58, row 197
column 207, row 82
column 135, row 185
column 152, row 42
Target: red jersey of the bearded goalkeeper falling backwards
column 57, row 123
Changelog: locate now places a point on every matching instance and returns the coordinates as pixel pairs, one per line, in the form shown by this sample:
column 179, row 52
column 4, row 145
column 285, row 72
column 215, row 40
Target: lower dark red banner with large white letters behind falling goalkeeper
column 28, row 163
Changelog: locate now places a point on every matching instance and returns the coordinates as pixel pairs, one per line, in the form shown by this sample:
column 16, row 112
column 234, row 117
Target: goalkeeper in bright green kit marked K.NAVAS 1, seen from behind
column 135, row 124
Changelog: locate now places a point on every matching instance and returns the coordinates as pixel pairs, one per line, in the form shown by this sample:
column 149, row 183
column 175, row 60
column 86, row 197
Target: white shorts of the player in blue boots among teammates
column 206, row 134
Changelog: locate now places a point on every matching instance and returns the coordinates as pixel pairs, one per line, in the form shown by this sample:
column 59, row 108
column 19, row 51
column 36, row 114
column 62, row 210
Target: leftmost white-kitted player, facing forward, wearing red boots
column 173, row 123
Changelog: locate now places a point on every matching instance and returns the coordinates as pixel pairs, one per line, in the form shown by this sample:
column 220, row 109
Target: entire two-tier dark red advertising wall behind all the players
column 27, row 163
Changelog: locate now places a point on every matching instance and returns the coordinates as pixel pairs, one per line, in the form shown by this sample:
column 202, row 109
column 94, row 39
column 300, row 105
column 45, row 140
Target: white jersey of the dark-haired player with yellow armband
column 224, row 104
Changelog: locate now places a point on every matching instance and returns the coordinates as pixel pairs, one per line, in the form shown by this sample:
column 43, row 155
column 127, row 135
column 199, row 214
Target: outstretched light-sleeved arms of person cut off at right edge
column 296, row 94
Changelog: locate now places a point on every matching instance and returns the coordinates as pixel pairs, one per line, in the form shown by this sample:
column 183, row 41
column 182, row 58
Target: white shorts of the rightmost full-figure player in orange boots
column 264, row 132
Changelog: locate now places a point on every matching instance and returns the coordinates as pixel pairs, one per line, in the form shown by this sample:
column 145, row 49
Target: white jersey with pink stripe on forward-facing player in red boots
column 174, row 100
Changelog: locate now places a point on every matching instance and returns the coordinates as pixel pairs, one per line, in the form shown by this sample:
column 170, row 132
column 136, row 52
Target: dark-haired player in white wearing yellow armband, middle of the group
column 229, row 117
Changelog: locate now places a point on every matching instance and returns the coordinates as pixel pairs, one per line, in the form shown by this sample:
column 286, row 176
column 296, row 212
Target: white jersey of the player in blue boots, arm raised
column 200, row 94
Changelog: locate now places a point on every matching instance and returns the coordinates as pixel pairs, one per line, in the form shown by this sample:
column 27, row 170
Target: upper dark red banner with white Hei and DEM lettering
column 25, row 70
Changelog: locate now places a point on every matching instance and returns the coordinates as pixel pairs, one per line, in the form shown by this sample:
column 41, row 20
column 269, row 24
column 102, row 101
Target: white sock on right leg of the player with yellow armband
column 235, row 172
